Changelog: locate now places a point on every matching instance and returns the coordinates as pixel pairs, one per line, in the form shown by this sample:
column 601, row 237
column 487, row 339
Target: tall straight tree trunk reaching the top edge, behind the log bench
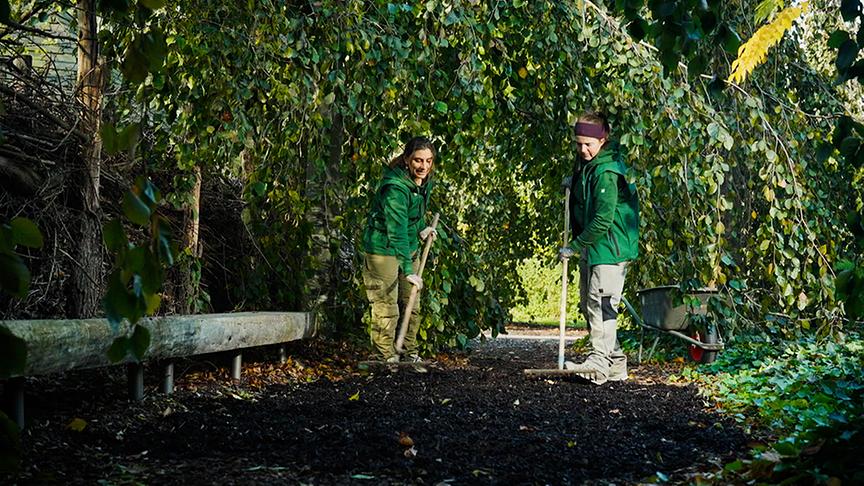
column 88, row 271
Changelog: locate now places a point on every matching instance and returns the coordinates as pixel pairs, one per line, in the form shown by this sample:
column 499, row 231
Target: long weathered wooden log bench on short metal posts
column 60, row 345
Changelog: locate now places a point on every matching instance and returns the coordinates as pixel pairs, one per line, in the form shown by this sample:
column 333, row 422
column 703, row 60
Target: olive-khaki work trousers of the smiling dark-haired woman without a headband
column 388, row 291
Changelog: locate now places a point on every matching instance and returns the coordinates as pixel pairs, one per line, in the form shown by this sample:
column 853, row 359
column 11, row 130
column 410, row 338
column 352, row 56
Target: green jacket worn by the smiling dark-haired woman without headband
column 397, row 217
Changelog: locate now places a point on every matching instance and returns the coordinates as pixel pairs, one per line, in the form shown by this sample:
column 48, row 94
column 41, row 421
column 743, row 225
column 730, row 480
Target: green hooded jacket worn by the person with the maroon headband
column 604, row 209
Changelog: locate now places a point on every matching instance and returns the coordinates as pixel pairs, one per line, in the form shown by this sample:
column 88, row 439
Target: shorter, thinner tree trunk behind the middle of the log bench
column 188, row 290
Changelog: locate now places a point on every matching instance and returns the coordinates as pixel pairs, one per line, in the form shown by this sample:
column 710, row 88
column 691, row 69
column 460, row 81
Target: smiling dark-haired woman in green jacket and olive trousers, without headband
column 395, row 226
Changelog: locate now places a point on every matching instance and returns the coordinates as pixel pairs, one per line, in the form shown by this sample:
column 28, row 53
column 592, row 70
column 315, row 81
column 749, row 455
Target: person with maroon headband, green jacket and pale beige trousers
column 604, row 216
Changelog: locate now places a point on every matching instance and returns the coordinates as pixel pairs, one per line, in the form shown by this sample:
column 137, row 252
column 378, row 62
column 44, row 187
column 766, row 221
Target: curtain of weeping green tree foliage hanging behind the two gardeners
column 304, row 102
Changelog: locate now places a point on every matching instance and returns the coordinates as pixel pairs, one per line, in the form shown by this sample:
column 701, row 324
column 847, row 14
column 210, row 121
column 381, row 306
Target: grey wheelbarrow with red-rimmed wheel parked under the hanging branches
column 661, row 313
